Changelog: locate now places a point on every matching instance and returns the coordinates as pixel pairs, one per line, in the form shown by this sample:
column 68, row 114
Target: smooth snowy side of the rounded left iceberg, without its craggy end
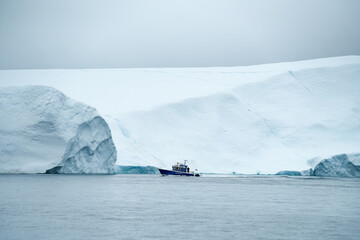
column 36, row 124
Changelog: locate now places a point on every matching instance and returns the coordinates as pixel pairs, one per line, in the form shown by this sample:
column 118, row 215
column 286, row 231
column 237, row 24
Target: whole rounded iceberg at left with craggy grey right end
column 41, row 128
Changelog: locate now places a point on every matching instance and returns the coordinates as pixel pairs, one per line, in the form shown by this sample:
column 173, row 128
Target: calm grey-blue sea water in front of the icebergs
column 155, row 207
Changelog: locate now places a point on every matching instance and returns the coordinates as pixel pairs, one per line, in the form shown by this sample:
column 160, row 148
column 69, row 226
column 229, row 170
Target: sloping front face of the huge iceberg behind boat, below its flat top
column 269, row 125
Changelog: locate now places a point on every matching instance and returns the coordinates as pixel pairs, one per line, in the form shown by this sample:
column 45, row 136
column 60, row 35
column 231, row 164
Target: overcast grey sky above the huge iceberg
column 174, row 33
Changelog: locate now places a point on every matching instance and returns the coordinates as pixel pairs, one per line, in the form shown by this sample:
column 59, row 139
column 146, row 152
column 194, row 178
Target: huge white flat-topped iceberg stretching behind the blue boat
column 263, row 118
